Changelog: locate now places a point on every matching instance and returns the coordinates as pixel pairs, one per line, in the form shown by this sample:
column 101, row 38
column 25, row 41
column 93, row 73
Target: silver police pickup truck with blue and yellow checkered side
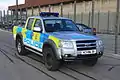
column 56, row 39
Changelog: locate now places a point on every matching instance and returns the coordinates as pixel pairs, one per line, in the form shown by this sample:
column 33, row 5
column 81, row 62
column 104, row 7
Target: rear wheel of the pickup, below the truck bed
column 20, row 47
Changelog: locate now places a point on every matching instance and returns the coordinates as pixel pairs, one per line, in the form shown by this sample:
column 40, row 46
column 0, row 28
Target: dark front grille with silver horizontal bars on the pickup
column 86, row 45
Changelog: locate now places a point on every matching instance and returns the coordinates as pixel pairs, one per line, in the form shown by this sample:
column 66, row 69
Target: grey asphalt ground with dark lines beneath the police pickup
column 31, row 67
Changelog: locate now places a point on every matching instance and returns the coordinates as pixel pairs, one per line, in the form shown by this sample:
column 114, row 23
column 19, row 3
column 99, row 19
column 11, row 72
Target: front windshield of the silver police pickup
column 56, row 25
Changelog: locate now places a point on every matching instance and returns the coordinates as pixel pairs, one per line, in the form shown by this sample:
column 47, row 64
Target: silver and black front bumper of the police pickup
column 73, row 55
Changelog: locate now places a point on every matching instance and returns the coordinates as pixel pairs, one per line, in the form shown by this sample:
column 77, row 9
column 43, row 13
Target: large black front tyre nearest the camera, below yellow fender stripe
column 51, row 62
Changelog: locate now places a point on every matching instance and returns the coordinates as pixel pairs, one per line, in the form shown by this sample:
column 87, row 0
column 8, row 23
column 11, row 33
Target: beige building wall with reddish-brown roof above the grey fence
column 33, row 7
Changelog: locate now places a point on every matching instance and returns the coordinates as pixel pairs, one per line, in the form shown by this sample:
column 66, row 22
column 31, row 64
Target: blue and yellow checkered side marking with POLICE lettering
column 34, row 38
